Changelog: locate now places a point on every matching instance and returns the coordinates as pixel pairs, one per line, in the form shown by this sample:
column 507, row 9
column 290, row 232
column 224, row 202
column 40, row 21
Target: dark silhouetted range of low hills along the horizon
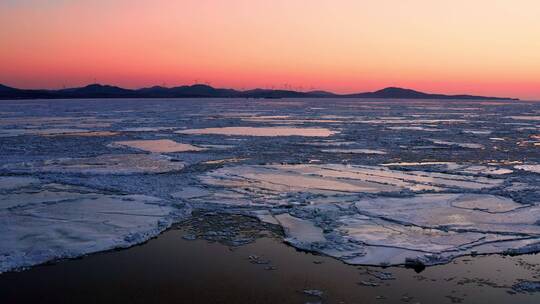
column 206, row 91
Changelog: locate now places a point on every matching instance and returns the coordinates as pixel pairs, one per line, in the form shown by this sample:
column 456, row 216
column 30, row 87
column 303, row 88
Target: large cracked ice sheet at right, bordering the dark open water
column 428, row 229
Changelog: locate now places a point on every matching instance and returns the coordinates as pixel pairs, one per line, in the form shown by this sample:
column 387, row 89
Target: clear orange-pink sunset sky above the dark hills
column 487, row 47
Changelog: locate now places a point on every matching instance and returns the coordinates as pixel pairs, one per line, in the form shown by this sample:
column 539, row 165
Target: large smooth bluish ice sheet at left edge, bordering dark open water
column 66, row 222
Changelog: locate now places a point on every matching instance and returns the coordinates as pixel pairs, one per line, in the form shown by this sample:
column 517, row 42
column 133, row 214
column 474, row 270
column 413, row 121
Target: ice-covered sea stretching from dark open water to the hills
column 379, row 183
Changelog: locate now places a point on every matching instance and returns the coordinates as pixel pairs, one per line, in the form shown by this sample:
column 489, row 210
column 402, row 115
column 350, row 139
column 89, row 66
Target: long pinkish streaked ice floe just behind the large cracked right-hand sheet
column 342, row 178
